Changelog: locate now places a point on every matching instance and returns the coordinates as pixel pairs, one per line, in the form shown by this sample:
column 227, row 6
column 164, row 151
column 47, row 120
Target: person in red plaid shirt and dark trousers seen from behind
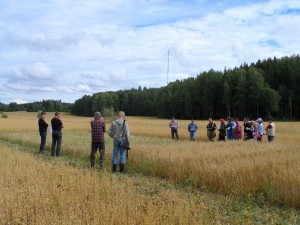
column 98, row 129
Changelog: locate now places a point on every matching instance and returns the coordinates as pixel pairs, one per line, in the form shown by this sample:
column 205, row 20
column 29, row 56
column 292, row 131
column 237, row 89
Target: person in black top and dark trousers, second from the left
column 57, row 125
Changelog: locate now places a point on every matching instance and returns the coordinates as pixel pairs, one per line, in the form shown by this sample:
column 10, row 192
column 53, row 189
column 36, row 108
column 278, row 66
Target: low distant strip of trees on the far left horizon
column 45, row 105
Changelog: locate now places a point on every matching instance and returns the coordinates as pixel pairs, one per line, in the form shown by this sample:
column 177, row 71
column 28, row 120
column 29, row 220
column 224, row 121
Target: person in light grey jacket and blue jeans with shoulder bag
column 118, row 130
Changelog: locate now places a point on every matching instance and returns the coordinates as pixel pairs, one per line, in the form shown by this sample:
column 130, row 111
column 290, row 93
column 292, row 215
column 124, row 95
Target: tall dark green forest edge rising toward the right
column 267, row 88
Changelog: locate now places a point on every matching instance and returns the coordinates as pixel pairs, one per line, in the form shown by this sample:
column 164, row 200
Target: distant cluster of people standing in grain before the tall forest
column 233, row 129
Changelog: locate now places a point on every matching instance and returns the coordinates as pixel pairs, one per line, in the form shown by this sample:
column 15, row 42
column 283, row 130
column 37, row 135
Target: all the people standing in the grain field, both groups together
column 119, row 131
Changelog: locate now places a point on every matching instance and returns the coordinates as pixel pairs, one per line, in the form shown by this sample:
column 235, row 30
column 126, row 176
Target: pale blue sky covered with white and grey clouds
column 65, row 49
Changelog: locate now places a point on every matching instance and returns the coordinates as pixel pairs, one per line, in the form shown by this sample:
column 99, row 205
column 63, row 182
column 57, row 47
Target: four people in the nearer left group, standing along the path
column 119, row 131
